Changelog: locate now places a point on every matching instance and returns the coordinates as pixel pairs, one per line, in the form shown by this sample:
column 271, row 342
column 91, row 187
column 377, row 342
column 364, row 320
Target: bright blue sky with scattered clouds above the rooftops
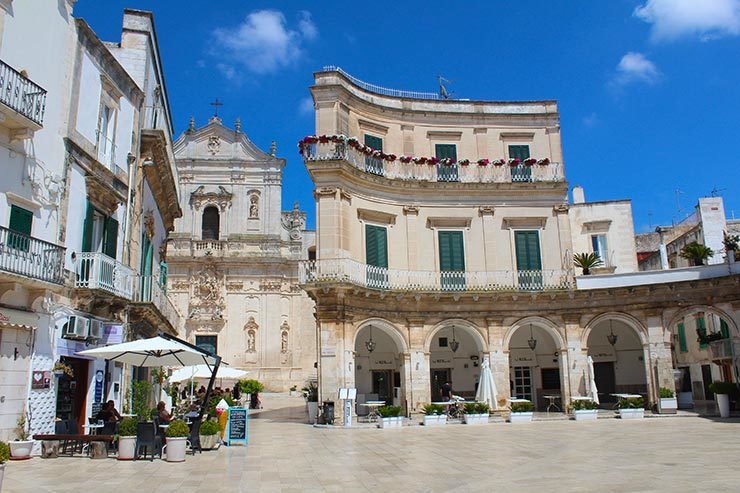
column 648, row 90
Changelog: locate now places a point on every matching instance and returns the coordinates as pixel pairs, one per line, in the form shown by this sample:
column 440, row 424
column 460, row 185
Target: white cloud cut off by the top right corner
column 673, row 19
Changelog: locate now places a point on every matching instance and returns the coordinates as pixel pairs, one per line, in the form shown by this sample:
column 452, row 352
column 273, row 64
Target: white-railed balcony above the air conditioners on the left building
column 97, row 271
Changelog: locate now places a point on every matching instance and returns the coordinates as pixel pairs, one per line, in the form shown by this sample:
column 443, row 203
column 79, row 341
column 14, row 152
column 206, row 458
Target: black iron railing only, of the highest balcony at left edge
column 21, row 94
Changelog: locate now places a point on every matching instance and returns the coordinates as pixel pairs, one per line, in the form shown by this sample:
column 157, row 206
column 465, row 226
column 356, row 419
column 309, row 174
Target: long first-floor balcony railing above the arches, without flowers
column 336, row 271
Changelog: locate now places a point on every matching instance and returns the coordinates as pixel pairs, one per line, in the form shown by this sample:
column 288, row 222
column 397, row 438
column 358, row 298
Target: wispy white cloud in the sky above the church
column 263, row 42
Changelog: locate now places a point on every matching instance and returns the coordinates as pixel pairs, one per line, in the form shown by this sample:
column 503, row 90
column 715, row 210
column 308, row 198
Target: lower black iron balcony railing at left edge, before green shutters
column 30, row 257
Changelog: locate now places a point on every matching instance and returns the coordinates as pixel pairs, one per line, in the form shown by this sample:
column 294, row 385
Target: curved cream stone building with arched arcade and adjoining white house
column 445, row 236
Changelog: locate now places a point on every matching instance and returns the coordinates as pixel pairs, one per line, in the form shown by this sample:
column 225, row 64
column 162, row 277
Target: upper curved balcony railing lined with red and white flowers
column 462, row 171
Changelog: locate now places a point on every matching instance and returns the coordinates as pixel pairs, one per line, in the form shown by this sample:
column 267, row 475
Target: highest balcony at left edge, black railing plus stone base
column 23, row 101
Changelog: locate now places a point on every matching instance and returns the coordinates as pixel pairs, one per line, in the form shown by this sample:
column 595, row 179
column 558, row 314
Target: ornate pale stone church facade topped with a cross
column 233, row 257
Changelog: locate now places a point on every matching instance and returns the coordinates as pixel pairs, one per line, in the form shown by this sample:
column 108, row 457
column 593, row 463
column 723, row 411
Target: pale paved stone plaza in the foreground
column 285, row 455
